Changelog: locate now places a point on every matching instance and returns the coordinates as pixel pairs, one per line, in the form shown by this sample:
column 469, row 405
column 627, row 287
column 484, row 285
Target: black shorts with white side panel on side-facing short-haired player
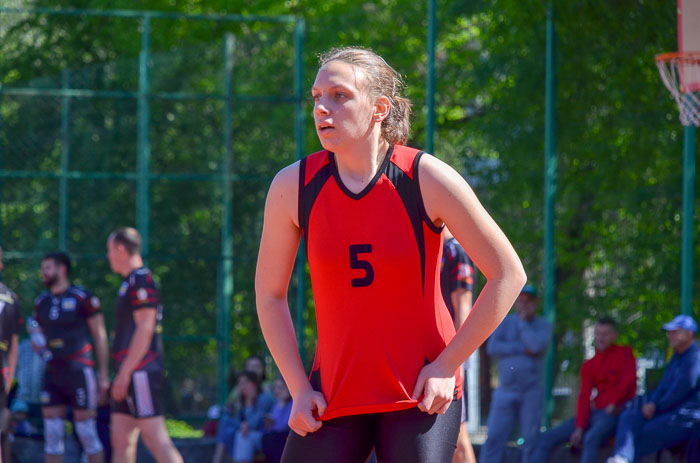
column 144, row 399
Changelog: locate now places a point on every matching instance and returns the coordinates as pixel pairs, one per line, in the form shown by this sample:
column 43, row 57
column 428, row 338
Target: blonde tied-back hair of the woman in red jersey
column 383, row 80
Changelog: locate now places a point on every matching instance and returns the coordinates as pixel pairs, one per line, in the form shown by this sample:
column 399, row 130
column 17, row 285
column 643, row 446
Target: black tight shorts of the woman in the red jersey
column 405, row 436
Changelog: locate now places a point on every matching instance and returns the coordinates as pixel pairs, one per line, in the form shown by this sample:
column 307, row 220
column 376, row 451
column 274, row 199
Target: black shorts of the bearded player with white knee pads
column 77, row 388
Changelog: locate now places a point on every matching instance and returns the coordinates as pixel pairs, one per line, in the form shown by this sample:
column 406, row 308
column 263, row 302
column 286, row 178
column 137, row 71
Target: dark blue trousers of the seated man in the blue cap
column 636, row 436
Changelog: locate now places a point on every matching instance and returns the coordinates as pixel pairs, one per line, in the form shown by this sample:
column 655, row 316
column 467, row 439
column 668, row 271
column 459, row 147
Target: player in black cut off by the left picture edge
column 10, row 327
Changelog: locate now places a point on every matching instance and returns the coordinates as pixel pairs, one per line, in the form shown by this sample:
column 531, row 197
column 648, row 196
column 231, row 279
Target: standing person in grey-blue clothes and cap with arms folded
column 519, row 343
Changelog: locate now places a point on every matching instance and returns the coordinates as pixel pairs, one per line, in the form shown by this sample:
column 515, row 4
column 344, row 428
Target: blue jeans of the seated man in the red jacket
column 601, row 427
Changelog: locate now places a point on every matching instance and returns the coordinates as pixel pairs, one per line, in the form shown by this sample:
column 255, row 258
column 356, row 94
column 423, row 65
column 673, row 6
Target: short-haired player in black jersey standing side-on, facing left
column 138, row 356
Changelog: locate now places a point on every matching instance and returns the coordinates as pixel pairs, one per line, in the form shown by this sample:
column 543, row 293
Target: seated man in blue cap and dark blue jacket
column 663, row 420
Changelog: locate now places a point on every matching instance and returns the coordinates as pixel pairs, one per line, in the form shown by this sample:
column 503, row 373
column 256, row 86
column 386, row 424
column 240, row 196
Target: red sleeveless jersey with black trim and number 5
column 374, row 259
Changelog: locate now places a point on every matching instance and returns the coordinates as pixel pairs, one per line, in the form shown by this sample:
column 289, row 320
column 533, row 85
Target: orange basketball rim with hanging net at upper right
column 681, row 75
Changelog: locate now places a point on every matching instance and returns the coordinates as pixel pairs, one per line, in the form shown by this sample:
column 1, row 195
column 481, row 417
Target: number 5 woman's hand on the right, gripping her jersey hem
column 437, row 387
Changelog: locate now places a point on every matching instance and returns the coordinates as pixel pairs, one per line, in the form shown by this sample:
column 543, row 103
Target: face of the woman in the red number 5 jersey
column 343, row 111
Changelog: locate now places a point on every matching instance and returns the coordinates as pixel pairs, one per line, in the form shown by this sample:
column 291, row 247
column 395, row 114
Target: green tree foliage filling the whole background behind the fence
column 619, row 145
